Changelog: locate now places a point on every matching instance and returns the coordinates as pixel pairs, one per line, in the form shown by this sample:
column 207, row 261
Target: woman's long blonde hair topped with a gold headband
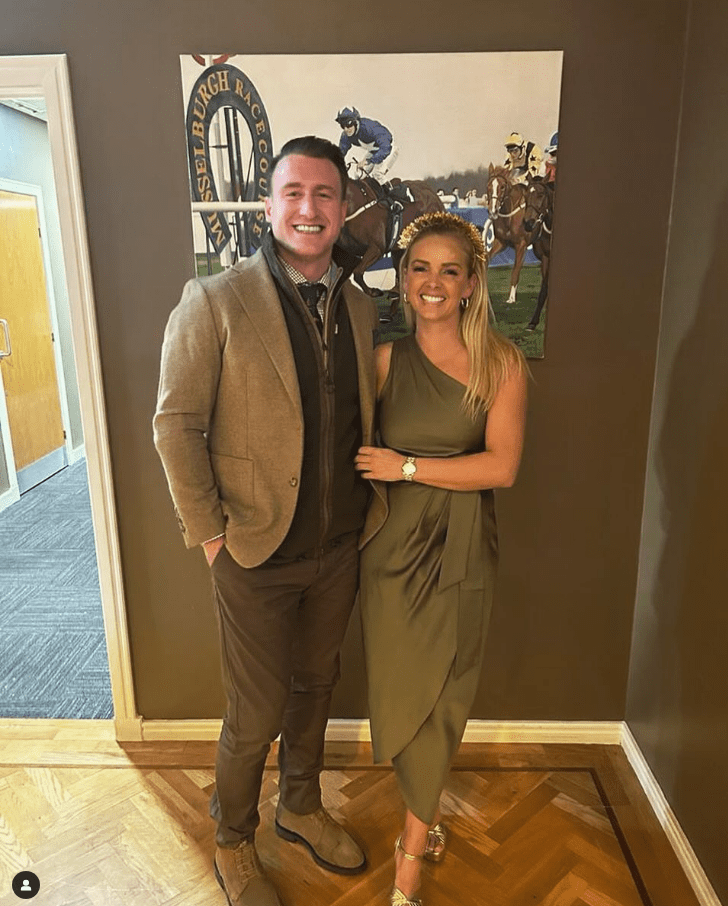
column 491, row 356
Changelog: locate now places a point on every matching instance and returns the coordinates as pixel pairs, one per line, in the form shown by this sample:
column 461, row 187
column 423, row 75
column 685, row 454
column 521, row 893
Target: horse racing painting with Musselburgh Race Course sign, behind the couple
column 472, row 133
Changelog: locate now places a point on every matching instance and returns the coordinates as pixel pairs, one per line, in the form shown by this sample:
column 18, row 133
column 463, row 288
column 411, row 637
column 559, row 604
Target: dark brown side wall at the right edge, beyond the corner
column 678, row 691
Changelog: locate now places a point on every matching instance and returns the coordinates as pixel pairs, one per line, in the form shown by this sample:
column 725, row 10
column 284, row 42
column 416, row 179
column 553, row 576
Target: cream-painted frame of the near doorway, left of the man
column 47, row 76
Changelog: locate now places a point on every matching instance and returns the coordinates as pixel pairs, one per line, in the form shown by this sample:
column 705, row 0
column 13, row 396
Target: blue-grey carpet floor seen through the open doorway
column 53, row 660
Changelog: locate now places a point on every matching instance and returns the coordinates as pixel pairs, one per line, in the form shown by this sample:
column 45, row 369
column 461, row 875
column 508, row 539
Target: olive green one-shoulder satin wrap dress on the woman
column 426, row 585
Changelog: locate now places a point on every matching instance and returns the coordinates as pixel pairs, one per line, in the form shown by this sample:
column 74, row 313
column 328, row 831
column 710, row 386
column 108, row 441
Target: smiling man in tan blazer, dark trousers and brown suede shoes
column 264, row 400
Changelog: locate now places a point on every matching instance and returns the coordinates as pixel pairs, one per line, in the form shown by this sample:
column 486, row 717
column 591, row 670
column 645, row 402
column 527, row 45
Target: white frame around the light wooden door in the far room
column 13, row 493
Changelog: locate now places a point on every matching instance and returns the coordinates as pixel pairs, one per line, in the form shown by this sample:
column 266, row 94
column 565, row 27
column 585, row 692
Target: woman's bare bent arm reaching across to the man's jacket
column 495, row 467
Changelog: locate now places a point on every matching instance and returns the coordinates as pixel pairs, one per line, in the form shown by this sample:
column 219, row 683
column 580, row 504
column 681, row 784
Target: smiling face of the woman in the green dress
column 437, row 278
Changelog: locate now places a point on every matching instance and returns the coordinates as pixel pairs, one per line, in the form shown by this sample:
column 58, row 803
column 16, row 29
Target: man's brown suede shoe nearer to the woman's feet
column 329, row 844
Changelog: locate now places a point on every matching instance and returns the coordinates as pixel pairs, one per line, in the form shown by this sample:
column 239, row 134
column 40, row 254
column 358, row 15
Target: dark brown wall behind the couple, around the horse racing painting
column 559, row 645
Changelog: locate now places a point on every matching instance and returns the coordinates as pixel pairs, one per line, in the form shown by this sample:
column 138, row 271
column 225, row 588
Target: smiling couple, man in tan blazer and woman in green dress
column 264, row 424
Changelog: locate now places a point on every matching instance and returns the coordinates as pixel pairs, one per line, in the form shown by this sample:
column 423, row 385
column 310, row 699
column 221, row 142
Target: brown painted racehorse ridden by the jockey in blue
column 367, row 221
